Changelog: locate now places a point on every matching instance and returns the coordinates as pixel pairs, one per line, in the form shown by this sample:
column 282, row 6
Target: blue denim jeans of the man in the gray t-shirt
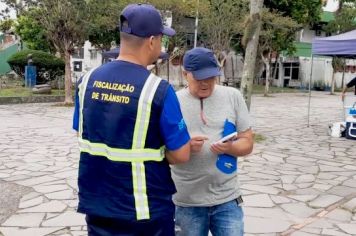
column 222, row 220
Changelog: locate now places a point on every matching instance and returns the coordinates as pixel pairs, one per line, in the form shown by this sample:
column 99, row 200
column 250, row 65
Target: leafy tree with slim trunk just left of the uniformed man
column 65, row 24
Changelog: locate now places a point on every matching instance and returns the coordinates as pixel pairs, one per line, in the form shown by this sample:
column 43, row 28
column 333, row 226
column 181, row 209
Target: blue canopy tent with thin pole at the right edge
column 342, row 45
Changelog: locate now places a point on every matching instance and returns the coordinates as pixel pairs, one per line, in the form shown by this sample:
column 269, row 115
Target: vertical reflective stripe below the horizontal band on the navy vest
column 139, row 187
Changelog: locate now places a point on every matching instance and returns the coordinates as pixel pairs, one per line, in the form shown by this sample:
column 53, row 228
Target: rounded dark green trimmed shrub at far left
column 48, row 66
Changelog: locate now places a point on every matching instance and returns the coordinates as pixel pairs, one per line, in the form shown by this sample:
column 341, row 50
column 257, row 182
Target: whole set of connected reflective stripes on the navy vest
column 138, row 154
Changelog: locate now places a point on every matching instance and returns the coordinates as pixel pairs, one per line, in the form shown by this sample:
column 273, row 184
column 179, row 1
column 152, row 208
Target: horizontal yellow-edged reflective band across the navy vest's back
column 117, row 154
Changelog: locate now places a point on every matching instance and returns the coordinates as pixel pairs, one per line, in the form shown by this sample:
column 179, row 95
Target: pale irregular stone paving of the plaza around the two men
column 299, row 181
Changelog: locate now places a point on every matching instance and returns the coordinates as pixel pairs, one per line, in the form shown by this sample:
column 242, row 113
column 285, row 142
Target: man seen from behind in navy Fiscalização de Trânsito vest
column 130, row 128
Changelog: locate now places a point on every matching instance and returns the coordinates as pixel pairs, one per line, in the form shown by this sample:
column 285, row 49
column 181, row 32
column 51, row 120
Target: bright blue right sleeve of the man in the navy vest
column 173, row 128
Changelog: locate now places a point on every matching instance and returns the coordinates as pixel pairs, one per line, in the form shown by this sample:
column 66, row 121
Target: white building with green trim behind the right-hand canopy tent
column 295, row 71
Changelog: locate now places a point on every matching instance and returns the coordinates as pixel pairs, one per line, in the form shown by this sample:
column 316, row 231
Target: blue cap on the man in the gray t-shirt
column 201, row 63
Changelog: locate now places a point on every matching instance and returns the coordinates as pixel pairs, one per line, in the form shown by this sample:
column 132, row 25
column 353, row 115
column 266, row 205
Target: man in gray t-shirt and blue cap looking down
column 208, row 194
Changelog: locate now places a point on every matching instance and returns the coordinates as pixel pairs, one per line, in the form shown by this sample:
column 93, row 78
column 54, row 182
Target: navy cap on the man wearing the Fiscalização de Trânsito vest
column 143, row 20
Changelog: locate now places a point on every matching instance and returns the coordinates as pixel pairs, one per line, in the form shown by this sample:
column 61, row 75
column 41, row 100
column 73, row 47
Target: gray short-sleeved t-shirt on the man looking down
column 199, row 182
